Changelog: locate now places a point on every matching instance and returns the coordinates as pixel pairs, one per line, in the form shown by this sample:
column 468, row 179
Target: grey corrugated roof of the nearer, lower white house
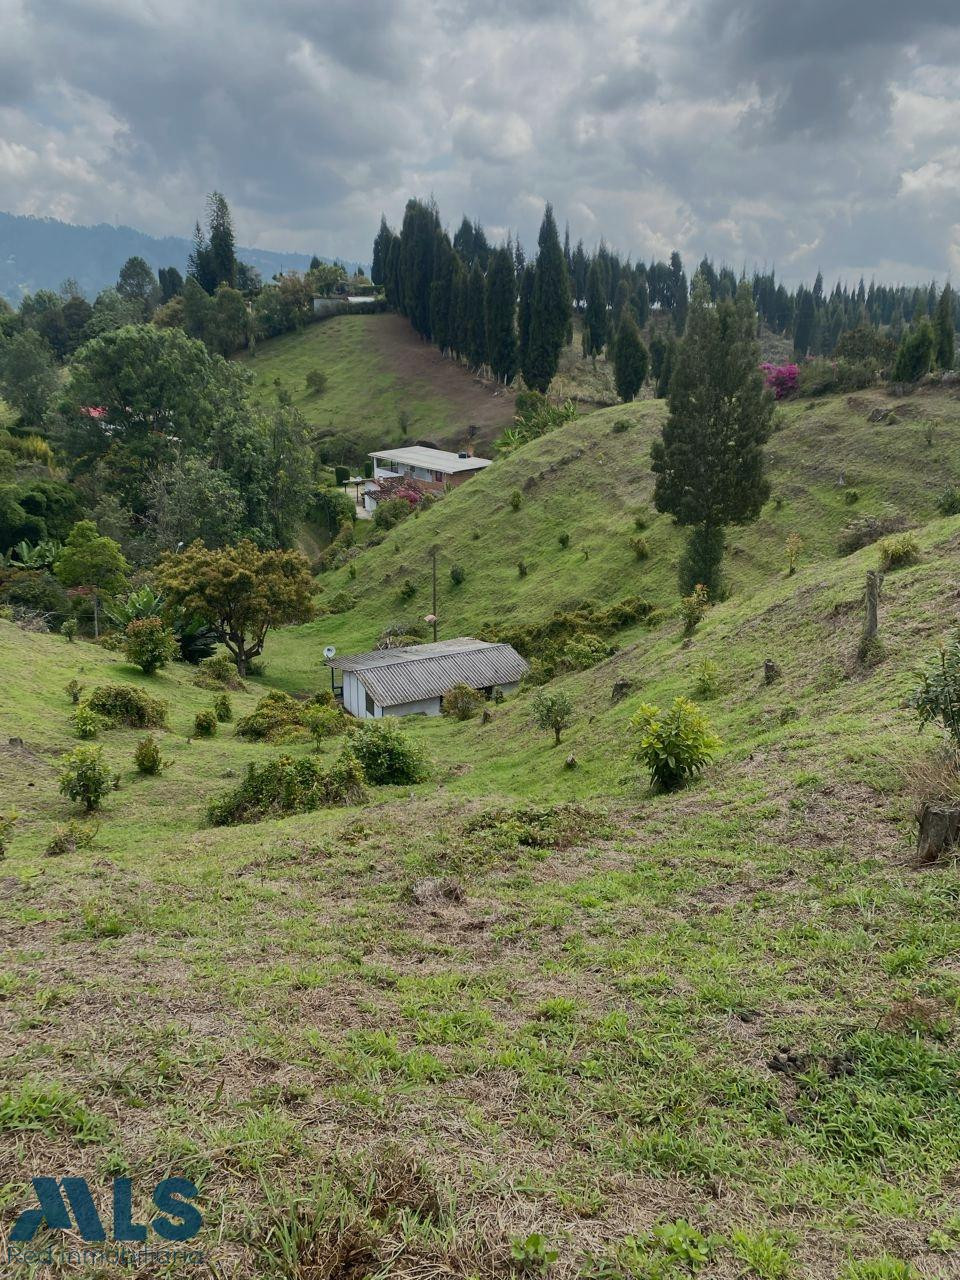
column 418, row 673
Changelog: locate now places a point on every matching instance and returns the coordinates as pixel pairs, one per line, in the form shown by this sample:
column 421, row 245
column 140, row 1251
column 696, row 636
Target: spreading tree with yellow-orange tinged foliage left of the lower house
column 240, row 592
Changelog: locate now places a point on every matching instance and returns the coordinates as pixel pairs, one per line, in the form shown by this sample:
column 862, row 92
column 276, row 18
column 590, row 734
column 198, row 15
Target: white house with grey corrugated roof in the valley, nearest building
column 413, row 680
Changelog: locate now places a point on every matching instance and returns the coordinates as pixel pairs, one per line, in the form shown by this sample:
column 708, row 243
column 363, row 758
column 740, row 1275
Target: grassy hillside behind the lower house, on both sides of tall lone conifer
column 589, row 481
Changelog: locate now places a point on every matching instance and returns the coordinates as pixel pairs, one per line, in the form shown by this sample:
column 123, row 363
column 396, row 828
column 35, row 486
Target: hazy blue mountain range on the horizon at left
column 42, row 253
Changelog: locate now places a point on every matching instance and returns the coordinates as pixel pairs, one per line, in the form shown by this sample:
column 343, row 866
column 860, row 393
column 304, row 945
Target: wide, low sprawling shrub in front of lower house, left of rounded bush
column 286, row 787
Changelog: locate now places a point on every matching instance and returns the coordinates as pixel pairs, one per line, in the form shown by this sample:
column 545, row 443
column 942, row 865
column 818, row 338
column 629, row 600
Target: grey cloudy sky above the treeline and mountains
column 799, row 134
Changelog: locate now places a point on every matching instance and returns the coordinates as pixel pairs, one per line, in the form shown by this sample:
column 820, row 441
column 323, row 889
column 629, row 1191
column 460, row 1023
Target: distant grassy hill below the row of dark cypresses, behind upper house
column 377, row 369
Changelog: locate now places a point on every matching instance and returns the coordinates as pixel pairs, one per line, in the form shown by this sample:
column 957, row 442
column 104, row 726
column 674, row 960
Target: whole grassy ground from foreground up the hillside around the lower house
column 711, row 1032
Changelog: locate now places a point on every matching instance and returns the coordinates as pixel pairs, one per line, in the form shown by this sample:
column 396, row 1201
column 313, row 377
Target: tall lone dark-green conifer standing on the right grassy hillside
column 710, row 463
